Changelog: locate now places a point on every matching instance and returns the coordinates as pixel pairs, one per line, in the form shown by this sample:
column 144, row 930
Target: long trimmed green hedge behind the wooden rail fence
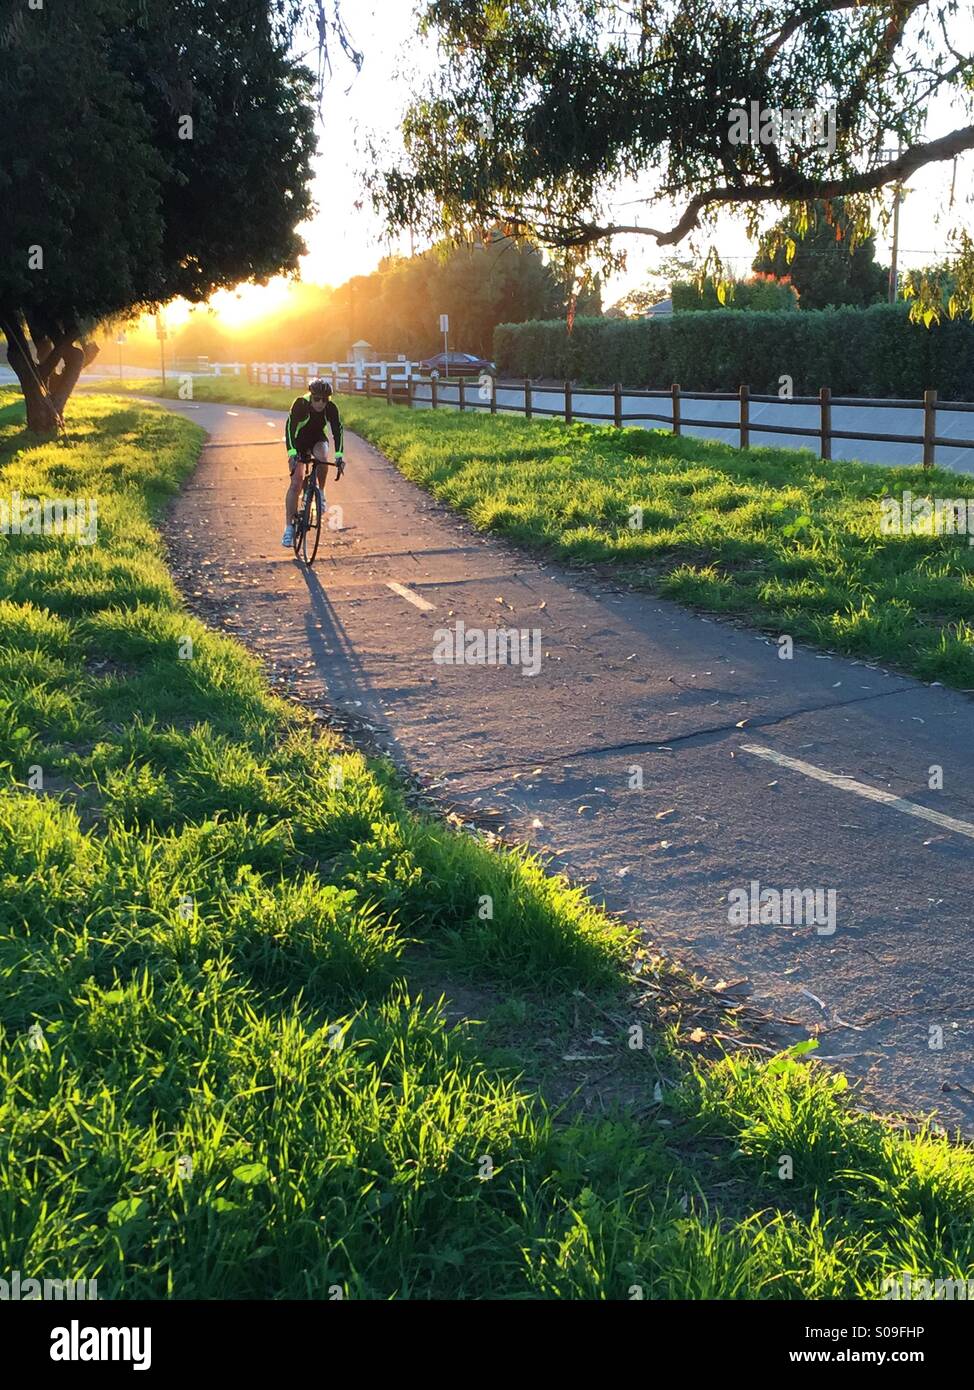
column 858, row 352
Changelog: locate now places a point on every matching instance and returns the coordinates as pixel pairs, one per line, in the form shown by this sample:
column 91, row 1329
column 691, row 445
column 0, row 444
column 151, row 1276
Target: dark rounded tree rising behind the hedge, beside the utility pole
column 826, row 261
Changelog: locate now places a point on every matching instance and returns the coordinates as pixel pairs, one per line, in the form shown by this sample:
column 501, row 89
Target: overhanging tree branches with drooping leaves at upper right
column 541, row 108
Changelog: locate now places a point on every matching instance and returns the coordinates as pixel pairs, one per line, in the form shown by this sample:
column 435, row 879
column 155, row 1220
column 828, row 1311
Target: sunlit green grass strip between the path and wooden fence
column 773, row 537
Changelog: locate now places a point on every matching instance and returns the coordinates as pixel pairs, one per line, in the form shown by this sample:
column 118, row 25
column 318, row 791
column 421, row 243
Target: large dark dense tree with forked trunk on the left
column 148, row 149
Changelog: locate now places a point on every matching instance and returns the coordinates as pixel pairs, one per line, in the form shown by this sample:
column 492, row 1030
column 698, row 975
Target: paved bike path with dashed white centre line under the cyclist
column 669, row 761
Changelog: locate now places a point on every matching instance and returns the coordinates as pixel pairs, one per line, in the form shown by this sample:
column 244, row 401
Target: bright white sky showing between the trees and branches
column 347, row 240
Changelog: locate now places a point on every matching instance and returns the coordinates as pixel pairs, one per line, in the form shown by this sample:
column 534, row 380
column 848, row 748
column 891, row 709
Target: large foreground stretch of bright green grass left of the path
column 217, row 943
